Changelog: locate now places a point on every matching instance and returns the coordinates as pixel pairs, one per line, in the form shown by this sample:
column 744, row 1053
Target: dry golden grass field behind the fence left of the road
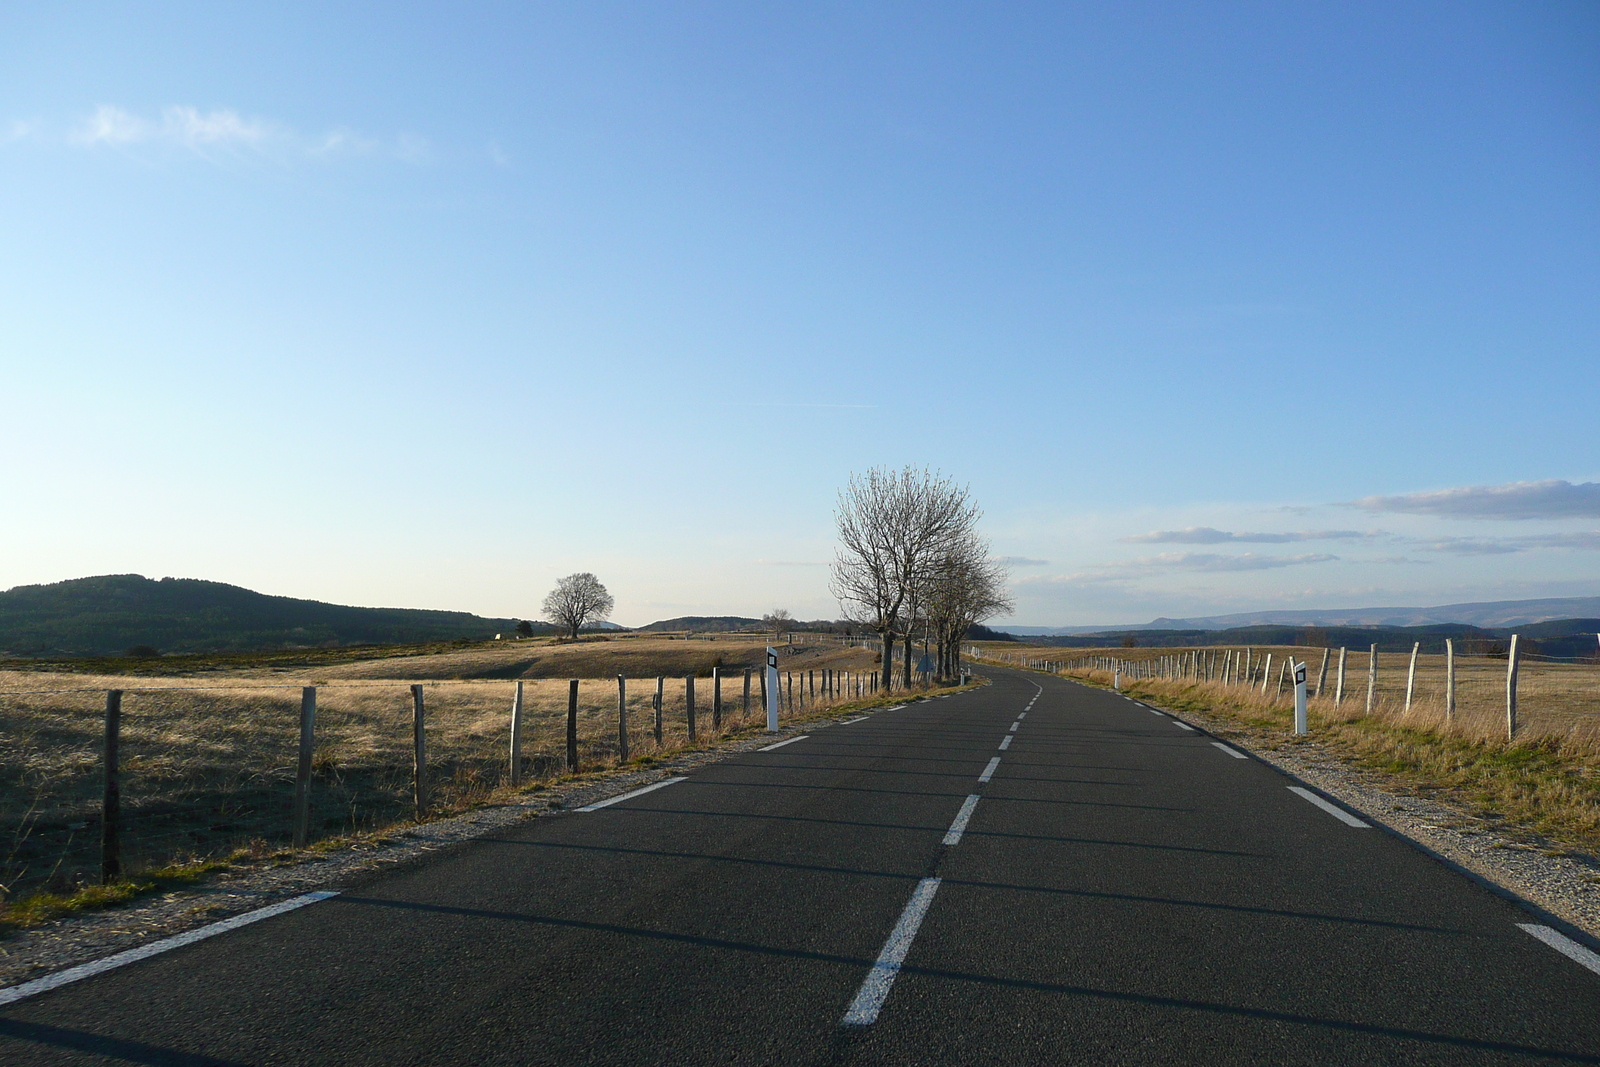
column 209, row 761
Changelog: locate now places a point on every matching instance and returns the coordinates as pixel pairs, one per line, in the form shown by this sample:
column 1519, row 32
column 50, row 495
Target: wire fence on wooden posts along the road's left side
column 204, row 772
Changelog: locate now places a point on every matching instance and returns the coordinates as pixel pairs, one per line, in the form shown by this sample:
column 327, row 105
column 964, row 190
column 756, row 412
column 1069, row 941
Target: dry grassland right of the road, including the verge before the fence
column 1546, row 781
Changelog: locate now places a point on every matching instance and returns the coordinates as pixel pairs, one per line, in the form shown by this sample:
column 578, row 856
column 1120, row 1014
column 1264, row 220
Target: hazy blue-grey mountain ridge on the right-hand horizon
column 1492, row 615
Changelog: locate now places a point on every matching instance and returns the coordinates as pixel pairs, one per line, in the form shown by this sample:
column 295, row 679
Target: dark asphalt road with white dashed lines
column 1124, row 892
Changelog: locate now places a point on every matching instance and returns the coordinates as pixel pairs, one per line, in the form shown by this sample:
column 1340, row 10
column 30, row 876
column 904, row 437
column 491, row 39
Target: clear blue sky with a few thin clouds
column 431, row 306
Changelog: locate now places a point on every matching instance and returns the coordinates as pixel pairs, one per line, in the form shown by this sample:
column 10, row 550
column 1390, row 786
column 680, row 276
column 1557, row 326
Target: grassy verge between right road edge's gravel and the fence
column 1543, row 791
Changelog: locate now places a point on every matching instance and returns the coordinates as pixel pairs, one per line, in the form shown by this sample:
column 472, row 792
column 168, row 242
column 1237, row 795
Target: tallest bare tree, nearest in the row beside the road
column 892, row 527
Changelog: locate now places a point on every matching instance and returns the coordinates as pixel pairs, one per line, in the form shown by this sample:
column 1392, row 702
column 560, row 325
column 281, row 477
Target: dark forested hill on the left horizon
column 114, row 613
